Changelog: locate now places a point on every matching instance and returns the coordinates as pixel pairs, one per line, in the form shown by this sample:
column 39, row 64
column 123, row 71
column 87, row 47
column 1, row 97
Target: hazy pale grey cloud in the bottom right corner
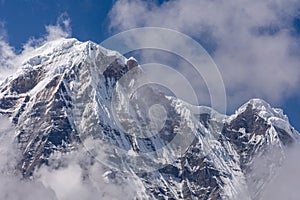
column 279, row 171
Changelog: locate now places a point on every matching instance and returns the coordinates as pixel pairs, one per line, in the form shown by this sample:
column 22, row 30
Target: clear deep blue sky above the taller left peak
column 27, row 18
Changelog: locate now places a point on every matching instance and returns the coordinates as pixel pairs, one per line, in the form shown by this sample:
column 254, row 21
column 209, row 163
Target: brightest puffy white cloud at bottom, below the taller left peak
column 76, row 179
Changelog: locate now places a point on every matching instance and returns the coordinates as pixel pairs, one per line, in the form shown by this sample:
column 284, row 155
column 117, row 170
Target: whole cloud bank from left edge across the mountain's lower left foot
column 68, row 176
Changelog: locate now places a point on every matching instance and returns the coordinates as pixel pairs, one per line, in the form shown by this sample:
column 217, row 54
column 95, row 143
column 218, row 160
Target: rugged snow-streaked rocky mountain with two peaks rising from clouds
column 69, row 94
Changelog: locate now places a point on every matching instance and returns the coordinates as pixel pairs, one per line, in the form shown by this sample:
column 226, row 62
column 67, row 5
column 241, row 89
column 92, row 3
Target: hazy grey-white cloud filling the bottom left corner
column 12, row 187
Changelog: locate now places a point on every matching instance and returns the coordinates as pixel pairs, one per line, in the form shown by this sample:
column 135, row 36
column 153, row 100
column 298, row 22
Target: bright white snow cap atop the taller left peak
column 62, row 51
